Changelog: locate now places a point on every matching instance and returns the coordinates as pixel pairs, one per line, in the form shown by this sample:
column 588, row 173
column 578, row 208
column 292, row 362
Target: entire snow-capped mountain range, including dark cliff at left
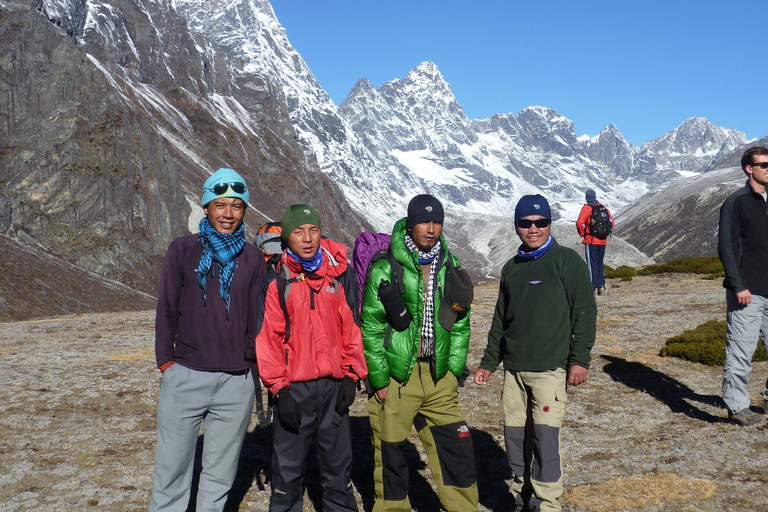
column 117, row 111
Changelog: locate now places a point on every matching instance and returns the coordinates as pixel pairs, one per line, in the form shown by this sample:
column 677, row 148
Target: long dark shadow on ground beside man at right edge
column 676, row 395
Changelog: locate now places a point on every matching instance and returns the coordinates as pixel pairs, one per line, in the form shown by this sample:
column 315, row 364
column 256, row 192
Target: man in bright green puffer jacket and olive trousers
column 416, row 370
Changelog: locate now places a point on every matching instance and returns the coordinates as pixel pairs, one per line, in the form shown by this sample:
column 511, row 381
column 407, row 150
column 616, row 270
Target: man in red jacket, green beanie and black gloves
column 310, row 357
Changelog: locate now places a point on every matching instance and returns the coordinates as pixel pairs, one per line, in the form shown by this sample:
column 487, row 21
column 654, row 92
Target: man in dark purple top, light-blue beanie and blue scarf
column 205, row 319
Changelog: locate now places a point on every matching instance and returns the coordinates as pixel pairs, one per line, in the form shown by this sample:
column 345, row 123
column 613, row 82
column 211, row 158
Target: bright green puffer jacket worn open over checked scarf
column 398, row 359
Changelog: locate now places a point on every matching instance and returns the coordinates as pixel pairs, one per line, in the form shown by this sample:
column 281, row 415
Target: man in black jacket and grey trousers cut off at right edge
column 742, row 245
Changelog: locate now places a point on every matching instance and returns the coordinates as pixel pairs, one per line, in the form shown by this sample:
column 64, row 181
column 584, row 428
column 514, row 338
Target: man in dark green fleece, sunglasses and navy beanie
column 543, row 330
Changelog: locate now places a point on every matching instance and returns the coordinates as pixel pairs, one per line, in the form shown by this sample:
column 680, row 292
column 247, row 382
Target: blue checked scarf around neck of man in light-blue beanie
column 222, row 248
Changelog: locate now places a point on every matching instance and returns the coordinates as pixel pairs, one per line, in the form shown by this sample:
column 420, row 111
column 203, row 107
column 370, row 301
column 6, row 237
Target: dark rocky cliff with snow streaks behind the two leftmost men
column 110, row 121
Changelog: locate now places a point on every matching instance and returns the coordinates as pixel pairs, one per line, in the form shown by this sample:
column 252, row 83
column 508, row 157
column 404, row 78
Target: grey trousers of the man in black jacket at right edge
column 745, row 325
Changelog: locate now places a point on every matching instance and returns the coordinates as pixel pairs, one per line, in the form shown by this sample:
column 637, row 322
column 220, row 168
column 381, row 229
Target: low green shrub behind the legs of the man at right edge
column 705, row 344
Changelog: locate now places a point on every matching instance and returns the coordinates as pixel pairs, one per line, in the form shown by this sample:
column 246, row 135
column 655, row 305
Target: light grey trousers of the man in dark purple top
column 222, row 403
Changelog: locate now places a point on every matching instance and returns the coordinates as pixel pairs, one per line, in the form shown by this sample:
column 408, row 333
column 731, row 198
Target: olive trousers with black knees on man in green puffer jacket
column 444, row 434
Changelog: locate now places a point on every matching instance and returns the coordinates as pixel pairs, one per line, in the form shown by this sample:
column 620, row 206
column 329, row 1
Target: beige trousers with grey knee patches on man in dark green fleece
column 534, row 408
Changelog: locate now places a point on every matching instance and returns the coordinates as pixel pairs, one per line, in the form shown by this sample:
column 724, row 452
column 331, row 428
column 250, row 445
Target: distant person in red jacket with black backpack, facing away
column 594, row 225
